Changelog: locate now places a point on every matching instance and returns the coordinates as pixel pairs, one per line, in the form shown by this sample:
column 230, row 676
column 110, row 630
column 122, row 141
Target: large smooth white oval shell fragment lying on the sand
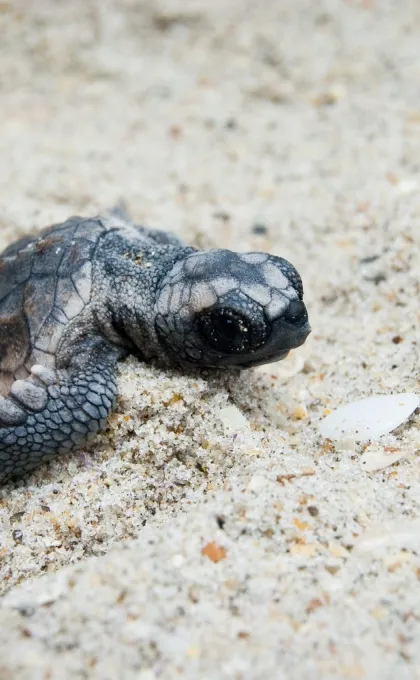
column 369, row 418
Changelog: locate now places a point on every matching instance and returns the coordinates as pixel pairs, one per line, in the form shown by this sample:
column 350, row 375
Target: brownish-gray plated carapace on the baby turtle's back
column 45, row 281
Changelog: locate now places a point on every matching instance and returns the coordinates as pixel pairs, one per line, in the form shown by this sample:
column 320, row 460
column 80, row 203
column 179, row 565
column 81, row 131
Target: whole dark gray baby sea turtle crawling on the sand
column 79, row 296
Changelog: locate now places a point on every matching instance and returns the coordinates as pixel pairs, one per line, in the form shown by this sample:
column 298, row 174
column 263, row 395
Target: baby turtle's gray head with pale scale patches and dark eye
column 224, row 309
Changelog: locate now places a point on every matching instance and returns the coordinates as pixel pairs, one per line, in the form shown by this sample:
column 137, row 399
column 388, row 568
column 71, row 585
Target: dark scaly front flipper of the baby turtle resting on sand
column 56, row 411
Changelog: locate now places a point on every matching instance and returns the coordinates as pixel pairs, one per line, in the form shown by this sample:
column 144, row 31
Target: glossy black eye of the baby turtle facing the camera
column 229, row 332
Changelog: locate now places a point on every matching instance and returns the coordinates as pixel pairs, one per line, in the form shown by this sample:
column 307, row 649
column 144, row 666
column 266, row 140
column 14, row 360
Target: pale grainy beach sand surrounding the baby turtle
column 210, row 532
